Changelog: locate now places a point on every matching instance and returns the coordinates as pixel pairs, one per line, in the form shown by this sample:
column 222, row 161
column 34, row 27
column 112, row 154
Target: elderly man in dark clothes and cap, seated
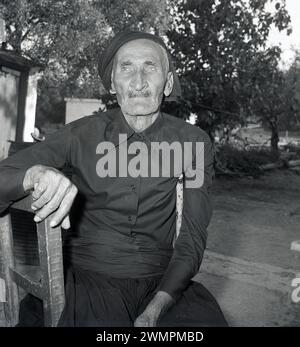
column 122, row 268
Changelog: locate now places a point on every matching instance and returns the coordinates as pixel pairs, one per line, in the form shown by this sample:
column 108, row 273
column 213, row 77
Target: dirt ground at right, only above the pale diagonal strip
column 257, row 219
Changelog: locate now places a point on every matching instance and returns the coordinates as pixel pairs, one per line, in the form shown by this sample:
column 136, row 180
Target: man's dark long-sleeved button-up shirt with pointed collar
column 125, row 224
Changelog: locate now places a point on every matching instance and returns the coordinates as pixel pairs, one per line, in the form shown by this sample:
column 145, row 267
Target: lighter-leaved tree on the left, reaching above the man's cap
column 68, row 36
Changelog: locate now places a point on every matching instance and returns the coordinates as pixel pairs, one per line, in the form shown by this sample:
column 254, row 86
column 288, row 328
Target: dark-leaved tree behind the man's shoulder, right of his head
column 213, row 43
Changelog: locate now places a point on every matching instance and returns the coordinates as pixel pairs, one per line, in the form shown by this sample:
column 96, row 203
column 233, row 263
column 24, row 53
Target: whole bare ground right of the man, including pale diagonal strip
column 250, row 266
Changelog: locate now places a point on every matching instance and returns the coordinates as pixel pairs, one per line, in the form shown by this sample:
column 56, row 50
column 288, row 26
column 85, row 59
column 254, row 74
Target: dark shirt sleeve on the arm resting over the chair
column 51, row 152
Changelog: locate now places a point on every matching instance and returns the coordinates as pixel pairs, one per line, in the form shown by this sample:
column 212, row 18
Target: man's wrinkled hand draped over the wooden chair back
column 52, row 192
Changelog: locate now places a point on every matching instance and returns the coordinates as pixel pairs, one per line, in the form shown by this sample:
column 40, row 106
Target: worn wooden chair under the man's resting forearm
column 47, row 283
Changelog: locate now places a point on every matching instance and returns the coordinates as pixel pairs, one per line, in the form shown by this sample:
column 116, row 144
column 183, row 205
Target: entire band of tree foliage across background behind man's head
column 219, row 48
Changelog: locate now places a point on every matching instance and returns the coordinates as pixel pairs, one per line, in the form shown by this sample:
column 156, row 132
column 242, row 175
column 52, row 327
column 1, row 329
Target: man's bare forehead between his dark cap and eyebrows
column 140, row 49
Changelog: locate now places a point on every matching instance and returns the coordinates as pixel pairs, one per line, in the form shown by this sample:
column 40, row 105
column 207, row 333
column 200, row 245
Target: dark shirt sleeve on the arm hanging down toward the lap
column 196, row 214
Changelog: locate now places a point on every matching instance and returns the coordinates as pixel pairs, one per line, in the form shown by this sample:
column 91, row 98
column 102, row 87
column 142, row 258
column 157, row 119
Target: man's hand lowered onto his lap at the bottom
column 157, row 306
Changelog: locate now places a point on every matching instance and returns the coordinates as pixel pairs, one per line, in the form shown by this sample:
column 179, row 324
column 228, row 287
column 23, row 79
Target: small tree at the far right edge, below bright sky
column 273, row 93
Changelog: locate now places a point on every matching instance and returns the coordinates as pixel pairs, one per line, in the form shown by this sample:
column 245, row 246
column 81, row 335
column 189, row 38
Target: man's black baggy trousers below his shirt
column 93, row 299
